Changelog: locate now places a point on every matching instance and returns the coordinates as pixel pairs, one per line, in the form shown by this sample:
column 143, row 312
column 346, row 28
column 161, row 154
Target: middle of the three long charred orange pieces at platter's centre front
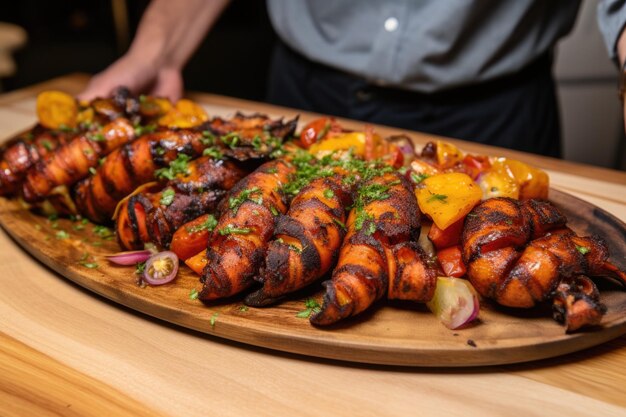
column 307, row 240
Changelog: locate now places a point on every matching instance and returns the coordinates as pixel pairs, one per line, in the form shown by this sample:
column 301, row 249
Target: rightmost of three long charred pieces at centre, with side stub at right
column 377, row 256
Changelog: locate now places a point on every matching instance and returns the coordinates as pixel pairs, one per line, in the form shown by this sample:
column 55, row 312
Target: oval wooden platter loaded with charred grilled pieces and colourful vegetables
column 313, row 239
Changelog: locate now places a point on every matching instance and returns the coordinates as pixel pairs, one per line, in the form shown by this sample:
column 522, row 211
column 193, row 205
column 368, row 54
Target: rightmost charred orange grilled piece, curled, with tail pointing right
column 518, row 253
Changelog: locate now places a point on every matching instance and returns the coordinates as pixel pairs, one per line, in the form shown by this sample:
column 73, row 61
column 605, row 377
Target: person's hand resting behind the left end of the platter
column 139, row 76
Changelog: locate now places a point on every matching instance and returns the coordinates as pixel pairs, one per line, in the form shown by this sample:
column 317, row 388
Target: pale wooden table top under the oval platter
column 66, row 351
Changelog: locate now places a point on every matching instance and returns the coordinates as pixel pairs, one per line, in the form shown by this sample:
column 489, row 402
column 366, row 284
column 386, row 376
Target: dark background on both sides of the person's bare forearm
column 80, row 36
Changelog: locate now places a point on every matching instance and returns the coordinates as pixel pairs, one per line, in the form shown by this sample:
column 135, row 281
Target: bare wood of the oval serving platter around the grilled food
column 391, row 334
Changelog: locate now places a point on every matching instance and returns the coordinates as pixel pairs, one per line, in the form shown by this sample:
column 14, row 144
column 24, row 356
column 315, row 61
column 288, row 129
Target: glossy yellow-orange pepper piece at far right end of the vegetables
column 532, row 182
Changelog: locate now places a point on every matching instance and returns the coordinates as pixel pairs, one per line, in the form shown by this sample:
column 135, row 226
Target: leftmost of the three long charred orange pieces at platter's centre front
column 237, row 244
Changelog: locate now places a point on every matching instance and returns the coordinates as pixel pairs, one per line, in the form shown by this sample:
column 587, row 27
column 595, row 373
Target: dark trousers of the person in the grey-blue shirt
column 517, row 112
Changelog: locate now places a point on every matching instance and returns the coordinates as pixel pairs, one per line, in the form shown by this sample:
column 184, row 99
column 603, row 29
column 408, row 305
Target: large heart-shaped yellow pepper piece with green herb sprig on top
column 447, row 198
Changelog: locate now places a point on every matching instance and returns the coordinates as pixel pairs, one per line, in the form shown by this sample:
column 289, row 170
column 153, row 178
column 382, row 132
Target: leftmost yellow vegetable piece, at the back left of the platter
column 56, row 109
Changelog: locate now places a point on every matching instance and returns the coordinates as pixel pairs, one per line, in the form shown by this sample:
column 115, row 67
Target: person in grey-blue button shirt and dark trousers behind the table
column 475, row 70
